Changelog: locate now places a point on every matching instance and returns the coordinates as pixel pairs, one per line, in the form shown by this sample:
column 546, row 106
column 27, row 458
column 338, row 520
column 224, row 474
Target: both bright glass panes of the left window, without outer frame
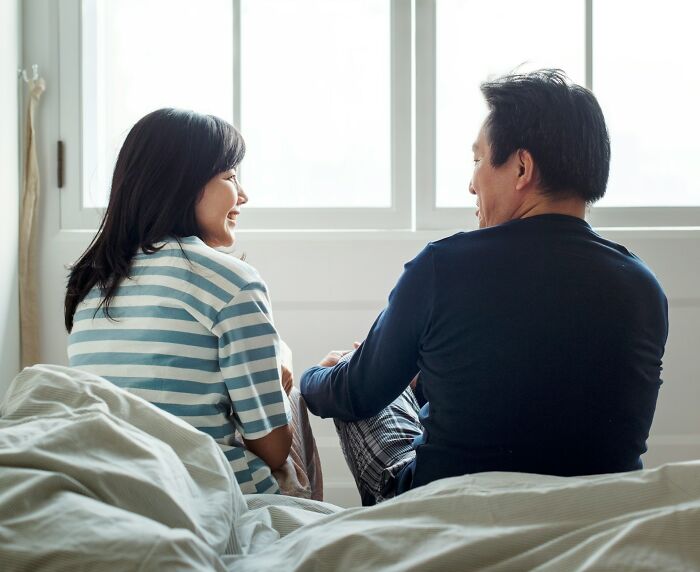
column 314, row 101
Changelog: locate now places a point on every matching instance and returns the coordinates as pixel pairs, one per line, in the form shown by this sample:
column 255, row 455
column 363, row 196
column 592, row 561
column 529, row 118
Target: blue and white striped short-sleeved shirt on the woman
column 192, row 332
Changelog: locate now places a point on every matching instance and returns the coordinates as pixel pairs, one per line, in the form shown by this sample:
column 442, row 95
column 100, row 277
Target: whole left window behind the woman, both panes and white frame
column 320, row 91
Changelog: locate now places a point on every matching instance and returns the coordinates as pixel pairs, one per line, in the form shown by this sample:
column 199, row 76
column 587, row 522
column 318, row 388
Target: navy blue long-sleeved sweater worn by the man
column 539, row 345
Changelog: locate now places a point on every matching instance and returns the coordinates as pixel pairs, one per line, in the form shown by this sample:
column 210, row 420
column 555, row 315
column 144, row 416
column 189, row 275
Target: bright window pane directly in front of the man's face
column 476, row 41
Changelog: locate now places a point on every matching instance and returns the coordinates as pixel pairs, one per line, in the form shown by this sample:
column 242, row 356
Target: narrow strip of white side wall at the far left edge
column 9, row 191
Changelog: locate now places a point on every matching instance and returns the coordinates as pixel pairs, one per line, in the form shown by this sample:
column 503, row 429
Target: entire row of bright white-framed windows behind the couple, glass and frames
column 361, row 113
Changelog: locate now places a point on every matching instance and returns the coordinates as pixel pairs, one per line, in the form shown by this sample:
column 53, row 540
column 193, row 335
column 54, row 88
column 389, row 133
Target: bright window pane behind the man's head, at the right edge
column 644, row 77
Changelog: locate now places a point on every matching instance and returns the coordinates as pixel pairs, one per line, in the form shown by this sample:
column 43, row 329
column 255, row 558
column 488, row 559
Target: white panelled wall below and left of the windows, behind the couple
column 328, row 287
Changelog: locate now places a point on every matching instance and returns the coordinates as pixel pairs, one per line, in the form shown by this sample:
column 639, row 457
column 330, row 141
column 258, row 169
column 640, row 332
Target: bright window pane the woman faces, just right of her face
column 315, row 102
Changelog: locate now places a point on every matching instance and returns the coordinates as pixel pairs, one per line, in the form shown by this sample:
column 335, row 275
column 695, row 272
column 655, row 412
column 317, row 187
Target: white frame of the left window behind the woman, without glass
column 74, row 216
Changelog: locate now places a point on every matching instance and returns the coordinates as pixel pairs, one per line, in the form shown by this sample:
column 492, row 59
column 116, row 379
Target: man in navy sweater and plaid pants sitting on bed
column 538, row 342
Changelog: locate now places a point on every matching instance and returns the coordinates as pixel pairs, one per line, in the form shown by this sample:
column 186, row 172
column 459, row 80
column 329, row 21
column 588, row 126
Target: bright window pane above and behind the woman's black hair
column 140, row 55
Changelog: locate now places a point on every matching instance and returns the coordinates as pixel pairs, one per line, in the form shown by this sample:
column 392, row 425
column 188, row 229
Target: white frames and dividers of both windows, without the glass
column 413, row 153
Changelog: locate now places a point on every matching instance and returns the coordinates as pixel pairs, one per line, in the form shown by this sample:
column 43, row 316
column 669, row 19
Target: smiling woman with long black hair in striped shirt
column 155, row 309
